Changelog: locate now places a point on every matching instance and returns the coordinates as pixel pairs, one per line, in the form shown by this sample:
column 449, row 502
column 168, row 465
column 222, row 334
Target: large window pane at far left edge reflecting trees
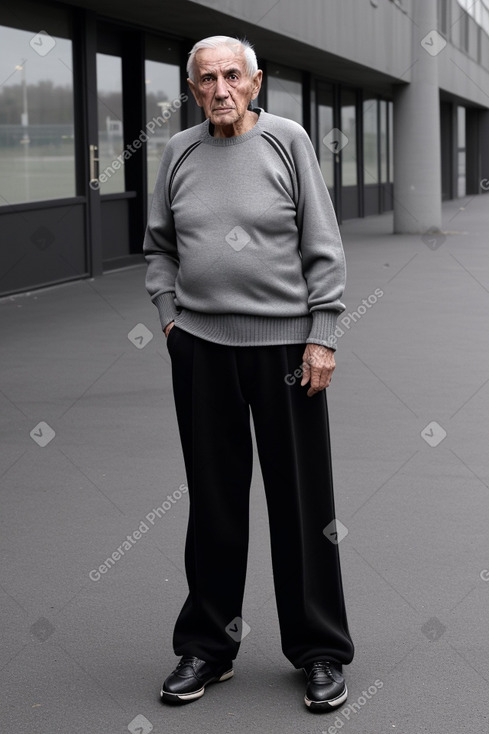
column 37, row 140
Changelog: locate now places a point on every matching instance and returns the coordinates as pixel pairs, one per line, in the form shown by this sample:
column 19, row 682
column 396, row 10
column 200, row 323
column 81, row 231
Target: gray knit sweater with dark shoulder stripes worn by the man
column 242, row 243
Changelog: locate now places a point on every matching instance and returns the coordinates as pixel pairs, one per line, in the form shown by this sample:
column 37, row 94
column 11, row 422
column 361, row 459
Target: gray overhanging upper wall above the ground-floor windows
column 347, row 40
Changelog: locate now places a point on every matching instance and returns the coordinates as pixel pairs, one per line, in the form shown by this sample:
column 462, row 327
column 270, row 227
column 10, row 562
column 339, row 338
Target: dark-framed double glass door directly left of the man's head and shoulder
column 139, row 107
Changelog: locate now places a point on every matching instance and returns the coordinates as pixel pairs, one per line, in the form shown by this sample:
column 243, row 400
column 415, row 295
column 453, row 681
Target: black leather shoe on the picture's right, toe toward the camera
column 326, row 687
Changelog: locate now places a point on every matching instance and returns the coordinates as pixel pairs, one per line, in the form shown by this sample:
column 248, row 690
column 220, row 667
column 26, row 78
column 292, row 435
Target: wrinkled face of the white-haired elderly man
column 222, row 86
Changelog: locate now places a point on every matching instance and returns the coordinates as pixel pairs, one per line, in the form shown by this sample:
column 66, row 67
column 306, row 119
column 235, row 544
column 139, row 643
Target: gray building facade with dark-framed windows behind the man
column 394, row 94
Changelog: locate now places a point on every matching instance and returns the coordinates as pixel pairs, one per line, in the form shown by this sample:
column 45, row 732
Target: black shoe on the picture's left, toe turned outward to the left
column 190, row 677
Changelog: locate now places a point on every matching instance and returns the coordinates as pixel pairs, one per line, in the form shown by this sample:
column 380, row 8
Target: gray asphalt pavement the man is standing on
column 94, row 505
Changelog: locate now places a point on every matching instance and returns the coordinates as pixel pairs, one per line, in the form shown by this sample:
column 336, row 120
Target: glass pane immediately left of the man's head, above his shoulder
column 162, row 89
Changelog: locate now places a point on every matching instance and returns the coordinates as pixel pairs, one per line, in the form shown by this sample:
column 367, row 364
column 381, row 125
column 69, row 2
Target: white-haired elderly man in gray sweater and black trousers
column 246, row 268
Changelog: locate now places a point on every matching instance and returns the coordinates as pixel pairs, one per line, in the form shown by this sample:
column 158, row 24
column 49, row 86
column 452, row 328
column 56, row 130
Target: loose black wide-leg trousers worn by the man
column 215, row 387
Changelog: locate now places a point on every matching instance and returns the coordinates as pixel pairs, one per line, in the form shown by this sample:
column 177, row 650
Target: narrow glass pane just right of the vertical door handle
column 110, row 126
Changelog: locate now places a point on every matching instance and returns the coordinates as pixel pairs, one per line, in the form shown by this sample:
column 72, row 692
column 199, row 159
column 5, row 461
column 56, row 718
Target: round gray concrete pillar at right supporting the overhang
column 417, row 160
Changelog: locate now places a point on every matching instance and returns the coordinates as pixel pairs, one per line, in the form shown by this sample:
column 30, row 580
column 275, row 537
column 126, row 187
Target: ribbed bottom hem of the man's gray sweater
column 237, row 330
